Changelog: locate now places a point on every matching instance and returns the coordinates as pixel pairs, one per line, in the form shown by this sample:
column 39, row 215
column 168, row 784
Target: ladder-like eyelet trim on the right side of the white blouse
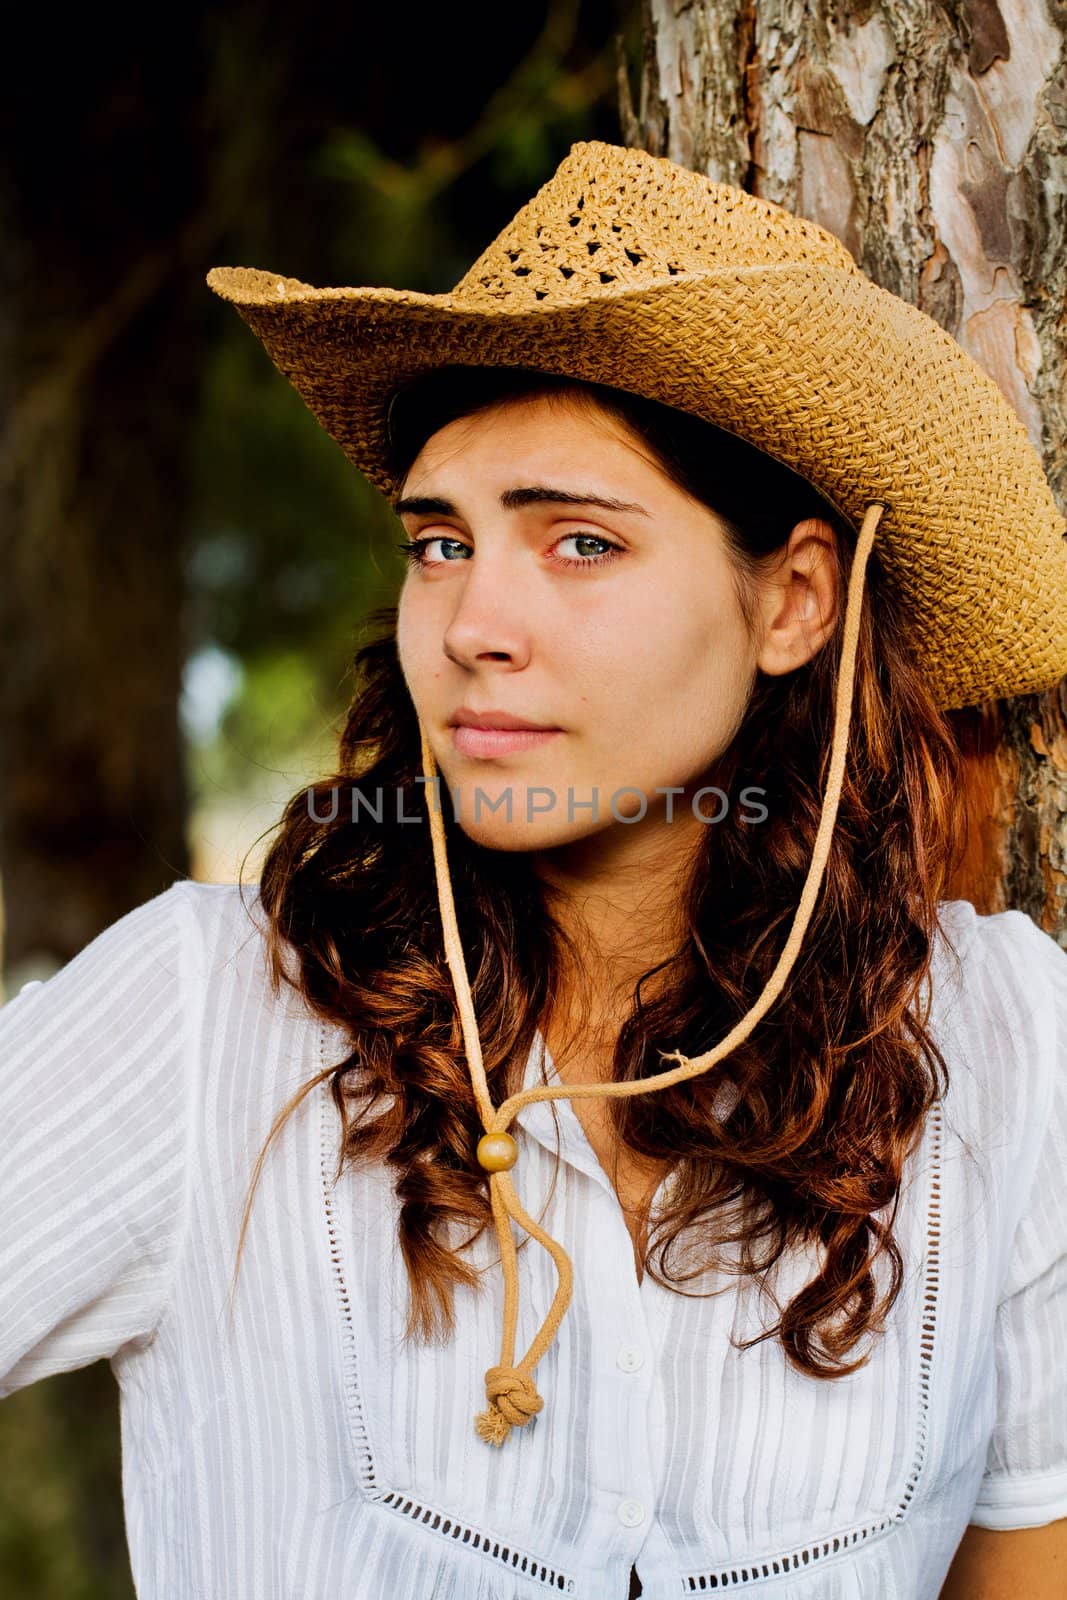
column 740, row 1575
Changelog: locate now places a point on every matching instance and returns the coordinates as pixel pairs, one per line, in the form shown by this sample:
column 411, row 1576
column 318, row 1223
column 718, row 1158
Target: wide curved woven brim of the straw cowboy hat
column 858, row 391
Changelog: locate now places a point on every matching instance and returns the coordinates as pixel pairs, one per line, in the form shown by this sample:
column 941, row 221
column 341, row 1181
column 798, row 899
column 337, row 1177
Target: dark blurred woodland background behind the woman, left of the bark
column 186, row 558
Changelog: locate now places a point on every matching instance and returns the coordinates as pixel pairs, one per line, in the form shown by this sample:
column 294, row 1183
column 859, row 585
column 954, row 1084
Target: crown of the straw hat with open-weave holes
column 613, row 218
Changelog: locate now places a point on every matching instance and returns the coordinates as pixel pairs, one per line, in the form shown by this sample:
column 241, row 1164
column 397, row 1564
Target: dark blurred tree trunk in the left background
column 100, row 369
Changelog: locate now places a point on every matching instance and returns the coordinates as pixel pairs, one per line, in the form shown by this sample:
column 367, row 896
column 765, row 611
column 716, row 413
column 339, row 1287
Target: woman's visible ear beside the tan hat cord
column 799, row 599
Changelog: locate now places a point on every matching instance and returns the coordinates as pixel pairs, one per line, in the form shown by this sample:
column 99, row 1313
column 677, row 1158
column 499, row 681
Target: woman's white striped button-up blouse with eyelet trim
column 305, row 1450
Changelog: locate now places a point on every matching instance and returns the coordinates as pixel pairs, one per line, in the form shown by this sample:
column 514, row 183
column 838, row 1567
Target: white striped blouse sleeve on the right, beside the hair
column 1026, row 1471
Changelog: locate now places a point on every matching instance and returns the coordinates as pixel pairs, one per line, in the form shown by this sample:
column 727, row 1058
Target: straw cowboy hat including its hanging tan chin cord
column 631, row 271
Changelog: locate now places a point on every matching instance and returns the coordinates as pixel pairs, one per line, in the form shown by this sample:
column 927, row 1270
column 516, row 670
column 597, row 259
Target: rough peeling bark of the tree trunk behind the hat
column 932, row 138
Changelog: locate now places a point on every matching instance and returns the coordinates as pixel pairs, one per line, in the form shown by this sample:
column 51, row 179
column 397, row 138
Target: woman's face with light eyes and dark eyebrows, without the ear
column 615, row 625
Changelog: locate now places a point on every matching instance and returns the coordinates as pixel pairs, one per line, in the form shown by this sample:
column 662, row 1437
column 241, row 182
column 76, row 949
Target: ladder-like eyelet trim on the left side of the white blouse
column 402, row 1505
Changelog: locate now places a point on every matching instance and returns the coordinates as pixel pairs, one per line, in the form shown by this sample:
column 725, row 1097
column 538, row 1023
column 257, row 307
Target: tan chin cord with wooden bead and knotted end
column 513, row 1396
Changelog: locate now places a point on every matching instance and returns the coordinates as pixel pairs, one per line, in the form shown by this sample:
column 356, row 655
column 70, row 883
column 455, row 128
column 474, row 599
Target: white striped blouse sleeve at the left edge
column 97, row 1089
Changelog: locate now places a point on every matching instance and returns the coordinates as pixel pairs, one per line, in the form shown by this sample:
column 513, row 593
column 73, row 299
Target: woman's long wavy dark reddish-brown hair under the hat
column 831, row 1090
